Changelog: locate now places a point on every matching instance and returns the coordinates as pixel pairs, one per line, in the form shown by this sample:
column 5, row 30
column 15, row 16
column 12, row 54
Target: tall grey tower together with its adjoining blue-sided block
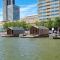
column 11, row 12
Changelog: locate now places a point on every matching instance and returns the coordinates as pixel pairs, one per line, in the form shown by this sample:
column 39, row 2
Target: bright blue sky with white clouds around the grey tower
column 27, row 8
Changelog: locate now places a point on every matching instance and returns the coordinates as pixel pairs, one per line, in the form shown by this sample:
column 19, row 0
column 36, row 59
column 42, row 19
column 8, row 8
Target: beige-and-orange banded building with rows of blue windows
column 48, row 9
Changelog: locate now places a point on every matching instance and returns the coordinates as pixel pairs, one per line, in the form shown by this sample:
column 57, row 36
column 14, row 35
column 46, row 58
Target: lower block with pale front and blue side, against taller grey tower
column 13, row 13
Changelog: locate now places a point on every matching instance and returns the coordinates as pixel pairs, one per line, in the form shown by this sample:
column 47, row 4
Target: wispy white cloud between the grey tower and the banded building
column 28, row 10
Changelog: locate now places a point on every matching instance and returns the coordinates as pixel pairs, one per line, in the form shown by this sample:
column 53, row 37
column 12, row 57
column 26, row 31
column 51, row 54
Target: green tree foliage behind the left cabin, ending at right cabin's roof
column 17, row 24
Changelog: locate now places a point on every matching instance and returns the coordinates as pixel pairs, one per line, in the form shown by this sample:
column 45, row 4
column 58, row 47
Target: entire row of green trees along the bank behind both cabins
column 49, row 23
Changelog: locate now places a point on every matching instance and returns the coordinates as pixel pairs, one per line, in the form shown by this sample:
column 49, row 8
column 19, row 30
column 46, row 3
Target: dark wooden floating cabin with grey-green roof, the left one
column 15, row 31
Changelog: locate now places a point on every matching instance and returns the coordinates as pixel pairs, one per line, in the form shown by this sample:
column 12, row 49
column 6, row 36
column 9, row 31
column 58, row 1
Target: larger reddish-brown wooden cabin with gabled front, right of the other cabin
column 40, row 31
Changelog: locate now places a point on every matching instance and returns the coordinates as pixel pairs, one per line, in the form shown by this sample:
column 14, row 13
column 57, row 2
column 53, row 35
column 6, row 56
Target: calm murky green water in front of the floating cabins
column 29, row 49
